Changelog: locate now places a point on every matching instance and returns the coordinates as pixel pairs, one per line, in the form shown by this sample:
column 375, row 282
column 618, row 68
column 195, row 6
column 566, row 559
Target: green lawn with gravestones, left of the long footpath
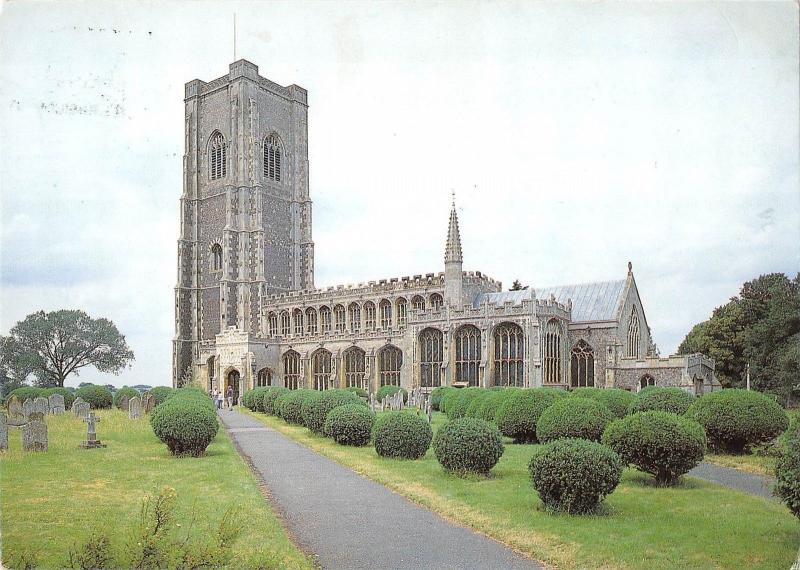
column 52, row 500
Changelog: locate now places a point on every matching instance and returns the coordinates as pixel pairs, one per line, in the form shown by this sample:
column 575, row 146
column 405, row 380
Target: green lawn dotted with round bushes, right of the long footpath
column 695, row 525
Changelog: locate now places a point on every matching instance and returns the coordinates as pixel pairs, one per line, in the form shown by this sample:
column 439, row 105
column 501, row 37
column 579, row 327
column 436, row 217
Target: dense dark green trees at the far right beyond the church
column 759, row 327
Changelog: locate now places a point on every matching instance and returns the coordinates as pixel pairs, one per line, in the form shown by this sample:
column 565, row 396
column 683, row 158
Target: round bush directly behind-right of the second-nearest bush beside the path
column 517, row 415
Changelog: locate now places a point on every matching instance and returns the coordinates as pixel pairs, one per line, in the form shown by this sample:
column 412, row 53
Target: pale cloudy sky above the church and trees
column 576, row 137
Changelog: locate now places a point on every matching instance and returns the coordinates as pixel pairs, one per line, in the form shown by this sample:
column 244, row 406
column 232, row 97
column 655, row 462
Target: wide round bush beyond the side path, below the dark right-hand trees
column 736, row 419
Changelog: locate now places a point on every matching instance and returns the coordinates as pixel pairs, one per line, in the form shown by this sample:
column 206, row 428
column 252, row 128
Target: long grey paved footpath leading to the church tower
column 350, row 522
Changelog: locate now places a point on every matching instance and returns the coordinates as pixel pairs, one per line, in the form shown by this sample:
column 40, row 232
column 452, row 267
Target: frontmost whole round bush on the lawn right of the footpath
column 574, row 475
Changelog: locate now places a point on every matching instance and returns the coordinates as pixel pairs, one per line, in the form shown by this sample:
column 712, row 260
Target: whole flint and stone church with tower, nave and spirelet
column 247, row 313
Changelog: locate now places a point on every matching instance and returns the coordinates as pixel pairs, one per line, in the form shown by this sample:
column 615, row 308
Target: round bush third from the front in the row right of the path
column 402, row 435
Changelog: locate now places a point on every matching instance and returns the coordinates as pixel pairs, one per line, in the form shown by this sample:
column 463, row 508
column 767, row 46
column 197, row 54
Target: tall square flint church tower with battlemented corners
column 245, row 208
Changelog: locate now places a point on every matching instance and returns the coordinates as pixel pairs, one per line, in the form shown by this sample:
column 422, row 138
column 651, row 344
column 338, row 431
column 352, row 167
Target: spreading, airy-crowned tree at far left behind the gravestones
column 51, row 346
